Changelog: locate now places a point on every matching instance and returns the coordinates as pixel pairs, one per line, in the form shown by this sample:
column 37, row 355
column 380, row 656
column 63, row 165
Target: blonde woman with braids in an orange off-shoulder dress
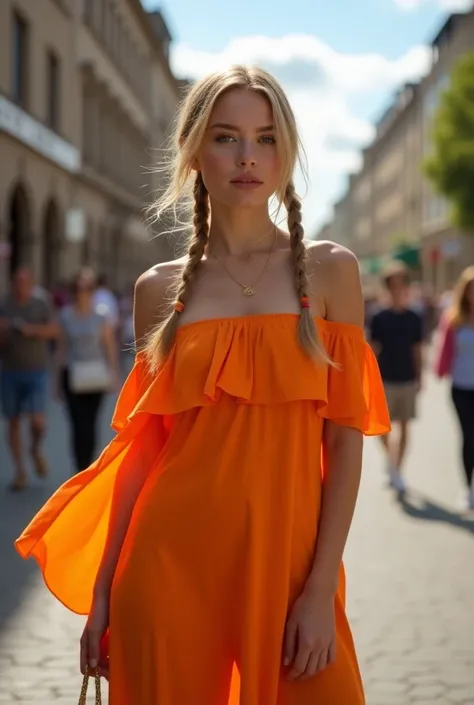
column 217, row 537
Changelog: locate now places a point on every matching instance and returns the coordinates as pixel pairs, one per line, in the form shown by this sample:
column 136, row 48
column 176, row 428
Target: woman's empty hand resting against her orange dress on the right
column 310, row 639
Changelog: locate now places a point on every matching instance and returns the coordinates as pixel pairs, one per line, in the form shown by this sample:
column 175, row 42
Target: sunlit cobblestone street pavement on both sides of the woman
column 410, row 580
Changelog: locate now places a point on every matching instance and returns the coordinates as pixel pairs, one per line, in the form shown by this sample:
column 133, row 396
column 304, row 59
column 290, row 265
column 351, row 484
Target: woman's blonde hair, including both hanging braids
column 192, row 121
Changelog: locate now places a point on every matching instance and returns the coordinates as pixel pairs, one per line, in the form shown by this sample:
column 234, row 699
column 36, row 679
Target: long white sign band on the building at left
column 19, row 124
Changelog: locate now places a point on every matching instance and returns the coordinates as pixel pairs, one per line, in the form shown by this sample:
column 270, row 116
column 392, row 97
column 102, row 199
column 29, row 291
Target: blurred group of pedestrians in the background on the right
column 400, row 323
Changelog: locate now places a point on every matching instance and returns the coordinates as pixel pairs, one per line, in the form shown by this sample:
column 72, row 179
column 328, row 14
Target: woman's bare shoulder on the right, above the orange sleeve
column 338, row 270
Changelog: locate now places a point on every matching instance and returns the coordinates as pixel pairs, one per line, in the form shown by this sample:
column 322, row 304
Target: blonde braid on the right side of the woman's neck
column 308, row 336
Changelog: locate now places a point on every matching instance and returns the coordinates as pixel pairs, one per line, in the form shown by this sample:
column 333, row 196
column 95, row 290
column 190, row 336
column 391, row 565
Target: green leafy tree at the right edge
column 450, row 168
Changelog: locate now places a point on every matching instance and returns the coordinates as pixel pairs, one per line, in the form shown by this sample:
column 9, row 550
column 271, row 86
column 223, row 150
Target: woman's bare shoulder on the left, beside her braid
column 153, row 295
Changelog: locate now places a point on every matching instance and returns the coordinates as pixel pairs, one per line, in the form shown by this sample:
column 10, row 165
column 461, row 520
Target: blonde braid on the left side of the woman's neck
column 162, row 338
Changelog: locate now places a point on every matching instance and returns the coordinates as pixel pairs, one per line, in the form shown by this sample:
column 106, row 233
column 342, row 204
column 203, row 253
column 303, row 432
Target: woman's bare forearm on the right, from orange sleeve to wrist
column 342, row 457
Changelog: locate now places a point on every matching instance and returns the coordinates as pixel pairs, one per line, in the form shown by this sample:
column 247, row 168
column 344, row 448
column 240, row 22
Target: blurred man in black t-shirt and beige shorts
column 396, row 334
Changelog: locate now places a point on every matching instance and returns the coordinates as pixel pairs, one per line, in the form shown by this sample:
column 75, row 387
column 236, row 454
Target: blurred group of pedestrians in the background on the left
column 66, row 342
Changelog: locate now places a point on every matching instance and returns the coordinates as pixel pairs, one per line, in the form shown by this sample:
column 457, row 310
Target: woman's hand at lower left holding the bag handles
column 94, row 651
